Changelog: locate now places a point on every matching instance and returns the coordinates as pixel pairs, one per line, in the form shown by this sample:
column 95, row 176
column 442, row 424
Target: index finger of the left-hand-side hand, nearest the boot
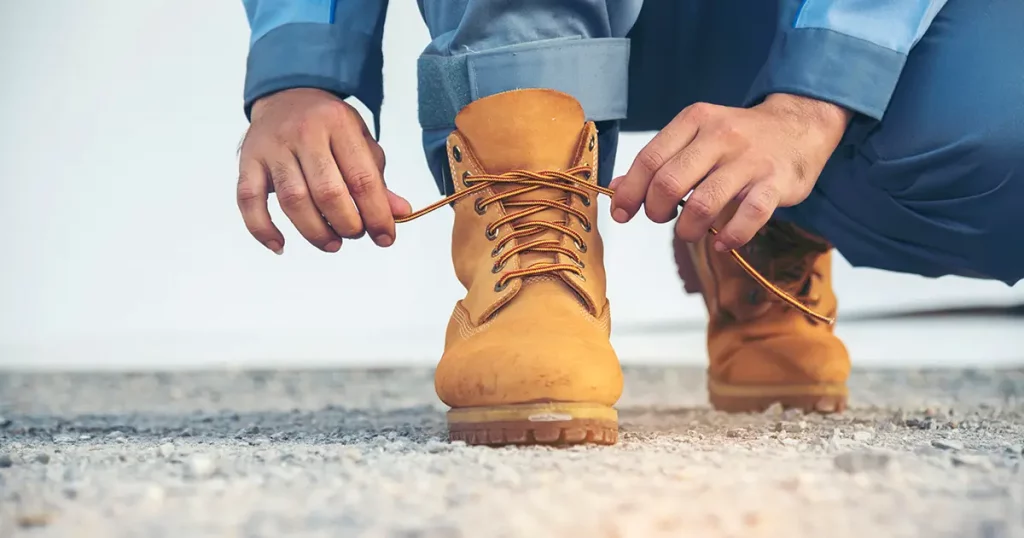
column 366, row 184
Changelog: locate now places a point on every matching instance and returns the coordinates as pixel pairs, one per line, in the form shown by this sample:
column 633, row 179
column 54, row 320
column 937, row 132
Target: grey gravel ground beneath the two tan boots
column 364, row 453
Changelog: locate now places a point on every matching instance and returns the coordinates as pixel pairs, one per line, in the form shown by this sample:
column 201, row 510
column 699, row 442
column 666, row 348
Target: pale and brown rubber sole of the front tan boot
column 559, row 424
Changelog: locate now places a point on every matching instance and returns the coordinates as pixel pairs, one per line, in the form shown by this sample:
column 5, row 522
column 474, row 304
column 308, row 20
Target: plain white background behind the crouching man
column 121, row 245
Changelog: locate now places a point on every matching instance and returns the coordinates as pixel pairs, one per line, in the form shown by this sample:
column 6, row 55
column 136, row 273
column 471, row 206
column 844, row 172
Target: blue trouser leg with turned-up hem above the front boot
column 483, row 48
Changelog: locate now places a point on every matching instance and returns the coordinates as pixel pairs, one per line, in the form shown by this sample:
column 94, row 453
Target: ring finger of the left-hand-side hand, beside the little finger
column 297, row 202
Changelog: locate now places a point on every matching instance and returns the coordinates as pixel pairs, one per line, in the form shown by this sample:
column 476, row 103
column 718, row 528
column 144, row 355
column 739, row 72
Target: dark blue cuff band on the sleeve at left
column 315, row 56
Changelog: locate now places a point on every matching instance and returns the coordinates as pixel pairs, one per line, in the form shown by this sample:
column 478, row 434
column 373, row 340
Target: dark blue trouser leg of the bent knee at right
column 937, row 187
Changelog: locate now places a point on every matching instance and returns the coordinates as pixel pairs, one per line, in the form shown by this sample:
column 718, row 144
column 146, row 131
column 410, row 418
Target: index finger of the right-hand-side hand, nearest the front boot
column 632, row 190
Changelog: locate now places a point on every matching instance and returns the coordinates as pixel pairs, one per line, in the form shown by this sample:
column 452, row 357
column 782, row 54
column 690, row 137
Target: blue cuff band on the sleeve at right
column 833, row 67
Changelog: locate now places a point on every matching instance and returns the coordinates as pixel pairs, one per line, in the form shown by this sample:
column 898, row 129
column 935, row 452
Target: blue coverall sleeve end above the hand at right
column 849, row 53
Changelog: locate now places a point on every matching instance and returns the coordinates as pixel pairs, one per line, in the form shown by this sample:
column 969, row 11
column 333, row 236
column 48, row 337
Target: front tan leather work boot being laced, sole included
column 527, row 355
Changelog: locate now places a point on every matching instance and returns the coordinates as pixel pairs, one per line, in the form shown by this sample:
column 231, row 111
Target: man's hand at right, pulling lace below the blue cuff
column 765, row 157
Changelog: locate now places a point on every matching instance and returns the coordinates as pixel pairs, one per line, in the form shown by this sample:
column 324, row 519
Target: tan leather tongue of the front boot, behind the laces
column 535, row 131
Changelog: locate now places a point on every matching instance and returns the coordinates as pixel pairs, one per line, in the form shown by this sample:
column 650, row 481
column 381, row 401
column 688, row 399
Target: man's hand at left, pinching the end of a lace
column 315, row 151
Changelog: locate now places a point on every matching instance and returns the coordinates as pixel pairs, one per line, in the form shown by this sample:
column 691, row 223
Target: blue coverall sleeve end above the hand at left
column 334, row 46
